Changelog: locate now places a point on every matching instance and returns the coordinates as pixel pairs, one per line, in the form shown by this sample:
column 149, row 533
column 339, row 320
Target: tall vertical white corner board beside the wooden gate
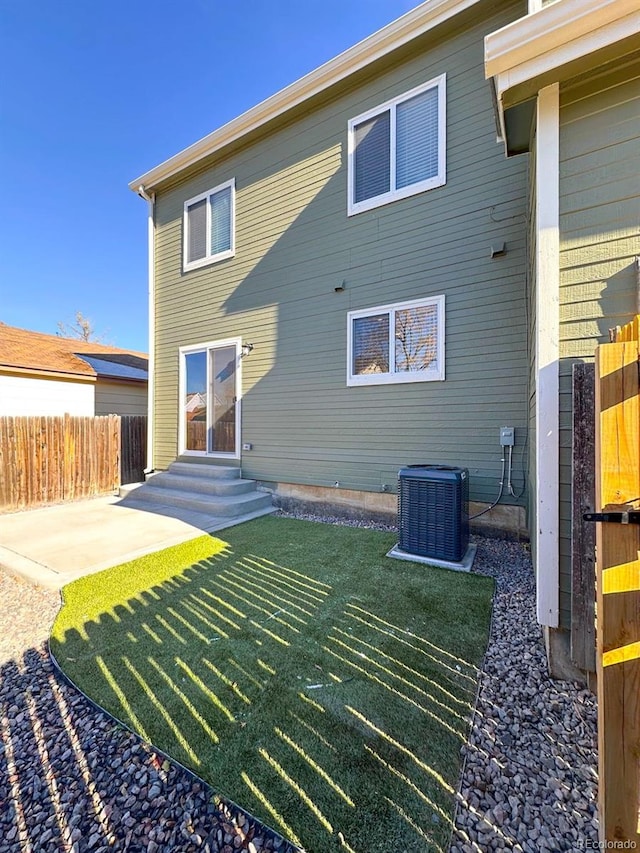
column 547, row 348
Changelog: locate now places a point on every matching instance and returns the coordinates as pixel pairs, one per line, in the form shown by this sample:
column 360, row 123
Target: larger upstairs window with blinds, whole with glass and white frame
column 399, row 148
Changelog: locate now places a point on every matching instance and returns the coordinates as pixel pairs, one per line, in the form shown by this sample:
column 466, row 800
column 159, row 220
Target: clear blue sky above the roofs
column 94, row 94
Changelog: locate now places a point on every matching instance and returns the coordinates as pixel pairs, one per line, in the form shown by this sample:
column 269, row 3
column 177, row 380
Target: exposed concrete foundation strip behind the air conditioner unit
column 503, row 521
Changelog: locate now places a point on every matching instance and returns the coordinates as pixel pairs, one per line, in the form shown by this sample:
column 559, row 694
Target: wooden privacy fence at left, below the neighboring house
column 49, row 459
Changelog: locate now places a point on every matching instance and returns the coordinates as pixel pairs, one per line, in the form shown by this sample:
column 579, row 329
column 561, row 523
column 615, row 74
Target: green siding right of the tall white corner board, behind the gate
column 599, row 240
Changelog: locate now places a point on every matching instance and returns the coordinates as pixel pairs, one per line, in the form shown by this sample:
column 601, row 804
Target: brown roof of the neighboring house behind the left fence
column 35, row 352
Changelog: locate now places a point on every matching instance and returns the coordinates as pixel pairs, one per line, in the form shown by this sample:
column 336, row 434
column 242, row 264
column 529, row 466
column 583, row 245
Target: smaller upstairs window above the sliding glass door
column 209, row 226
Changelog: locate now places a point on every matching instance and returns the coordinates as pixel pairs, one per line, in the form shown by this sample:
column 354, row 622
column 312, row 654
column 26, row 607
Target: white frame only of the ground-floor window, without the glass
column 392, row 378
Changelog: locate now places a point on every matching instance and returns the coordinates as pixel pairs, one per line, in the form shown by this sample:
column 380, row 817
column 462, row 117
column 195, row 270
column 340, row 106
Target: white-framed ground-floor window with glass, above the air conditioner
column 403, row 342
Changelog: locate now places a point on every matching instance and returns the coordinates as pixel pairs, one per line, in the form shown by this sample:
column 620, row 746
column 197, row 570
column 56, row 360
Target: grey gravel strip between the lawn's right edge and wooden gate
column 541, row 732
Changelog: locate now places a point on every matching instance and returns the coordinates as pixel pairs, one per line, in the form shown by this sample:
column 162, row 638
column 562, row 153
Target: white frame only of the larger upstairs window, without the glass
column 422, row 186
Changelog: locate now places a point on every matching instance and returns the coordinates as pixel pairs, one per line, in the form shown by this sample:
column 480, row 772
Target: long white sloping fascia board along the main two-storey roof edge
column 396, row 34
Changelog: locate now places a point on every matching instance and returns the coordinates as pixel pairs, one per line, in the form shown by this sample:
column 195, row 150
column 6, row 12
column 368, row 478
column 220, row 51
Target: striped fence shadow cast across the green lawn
column 297, row 700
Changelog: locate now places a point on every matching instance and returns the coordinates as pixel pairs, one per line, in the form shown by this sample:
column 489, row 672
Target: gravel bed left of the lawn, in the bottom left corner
column 72, row 779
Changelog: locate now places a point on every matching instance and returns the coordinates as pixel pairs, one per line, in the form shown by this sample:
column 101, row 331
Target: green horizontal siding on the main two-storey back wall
column 295, row 243
